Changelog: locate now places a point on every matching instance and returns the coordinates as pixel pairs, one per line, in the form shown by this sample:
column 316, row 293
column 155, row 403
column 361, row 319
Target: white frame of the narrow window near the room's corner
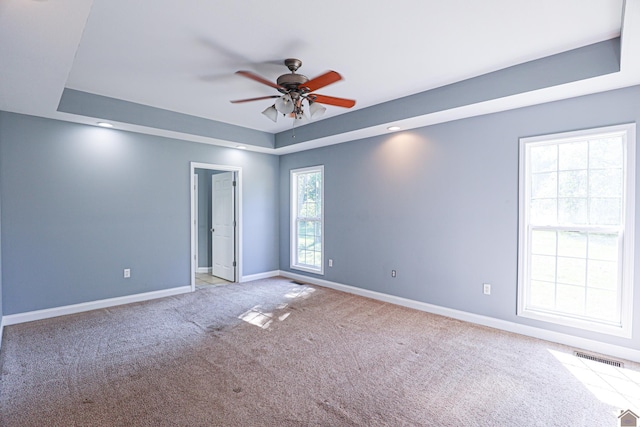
column 294, row 264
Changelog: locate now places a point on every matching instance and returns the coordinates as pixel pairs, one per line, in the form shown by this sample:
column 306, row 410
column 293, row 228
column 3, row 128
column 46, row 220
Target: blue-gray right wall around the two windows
column 440, row 205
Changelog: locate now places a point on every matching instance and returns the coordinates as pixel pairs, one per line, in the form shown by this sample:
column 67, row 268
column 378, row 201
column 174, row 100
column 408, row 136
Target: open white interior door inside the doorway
column 222, row 225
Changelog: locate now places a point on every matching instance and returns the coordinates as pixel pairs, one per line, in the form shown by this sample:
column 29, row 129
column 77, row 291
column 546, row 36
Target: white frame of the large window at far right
column 624, row 327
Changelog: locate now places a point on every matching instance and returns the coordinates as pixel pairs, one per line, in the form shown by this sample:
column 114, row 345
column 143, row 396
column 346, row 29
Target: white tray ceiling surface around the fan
column 181, row 56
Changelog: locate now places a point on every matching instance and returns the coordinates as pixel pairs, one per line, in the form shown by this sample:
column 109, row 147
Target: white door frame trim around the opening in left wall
column 193, row 217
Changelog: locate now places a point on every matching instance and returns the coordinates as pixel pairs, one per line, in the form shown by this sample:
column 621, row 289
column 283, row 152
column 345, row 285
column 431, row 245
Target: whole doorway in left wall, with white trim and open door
column 216, row 224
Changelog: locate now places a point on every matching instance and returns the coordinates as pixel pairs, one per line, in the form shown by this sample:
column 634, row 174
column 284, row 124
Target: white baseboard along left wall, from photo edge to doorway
column 30, row 316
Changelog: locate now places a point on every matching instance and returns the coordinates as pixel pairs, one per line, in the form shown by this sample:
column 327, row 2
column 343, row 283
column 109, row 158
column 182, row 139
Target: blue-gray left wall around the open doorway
column 81, row 203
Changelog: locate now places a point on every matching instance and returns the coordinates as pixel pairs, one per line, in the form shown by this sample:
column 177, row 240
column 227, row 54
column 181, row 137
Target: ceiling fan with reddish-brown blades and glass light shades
column 295, row 89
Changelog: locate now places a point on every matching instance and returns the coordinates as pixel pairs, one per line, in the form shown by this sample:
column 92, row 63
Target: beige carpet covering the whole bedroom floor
column 274, row 353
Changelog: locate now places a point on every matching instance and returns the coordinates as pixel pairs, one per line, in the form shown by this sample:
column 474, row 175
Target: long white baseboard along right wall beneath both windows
column 544, row 334
